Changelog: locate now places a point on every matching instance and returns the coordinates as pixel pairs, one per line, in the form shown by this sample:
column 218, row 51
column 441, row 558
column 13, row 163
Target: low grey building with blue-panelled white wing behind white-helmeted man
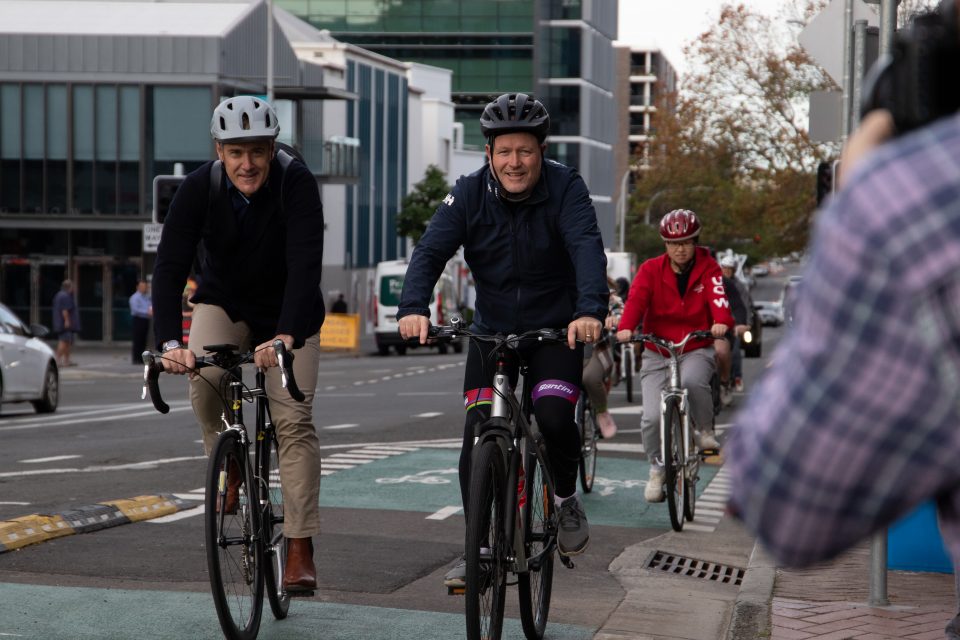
column 98, row 97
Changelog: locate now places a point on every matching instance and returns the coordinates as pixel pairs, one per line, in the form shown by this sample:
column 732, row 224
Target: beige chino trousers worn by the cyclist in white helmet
column 298, row 442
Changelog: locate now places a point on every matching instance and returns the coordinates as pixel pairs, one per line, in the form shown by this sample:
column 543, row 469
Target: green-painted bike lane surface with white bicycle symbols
column 410, row 479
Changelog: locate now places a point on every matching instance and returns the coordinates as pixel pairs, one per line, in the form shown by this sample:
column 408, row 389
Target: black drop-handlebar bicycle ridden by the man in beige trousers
column 246, row 548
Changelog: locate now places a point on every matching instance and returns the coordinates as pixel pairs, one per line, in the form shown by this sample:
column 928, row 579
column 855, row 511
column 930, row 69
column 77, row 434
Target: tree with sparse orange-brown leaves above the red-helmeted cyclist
column 733, row 145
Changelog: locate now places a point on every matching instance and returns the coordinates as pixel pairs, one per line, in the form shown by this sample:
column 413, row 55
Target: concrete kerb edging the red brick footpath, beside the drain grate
column 751, row 611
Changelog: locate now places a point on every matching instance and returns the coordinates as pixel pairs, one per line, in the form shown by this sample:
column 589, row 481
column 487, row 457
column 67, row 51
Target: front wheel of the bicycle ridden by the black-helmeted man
column 486, row 547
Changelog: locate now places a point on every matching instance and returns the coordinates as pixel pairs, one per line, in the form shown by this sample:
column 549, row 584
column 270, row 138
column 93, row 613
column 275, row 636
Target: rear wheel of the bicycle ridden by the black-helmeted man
column 539, row 536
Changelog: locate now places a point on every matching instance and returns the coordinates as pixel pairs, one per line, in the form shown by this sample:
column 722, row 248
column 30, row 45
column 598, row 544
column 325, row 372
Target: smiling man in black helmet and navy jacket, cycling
column 531, row 240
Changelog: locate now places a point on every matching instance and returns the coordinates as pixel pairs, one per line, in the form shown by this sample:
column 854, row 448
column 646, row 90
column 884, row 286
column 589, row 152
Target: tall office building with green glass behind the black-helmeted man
column 559, row 50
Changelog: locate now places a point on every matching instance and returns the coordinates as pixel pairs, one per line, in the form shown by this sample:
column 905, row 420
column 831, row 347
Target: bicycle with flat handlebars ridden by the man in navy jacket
column 511, row 518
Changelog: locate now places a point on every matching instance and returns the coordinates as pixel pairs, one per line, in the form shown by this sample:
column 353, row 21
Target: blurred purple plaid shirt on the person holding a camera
column 858, row 419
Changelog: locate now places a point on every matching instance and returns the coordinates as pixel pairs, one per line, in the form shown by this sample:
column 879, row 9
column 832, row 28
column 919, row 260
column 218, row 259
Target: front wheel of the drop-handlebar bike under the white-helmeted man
column 233, row 556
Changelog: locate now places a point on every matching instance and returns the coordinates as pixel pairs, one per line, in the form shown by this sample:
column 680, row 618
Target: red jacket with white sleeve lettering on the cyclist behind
column 655, row 300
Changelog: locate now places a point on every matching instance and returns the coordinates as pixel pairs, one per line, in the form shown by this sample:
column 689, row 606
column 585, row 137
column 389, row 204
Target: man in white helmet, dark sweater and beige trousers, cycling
column 256, row 221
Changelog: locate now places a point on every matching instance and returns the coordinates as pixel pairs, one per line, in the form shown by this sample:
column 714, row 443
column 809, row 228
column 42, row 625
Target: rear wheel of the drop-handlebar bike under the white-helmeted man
column 274, row 542
